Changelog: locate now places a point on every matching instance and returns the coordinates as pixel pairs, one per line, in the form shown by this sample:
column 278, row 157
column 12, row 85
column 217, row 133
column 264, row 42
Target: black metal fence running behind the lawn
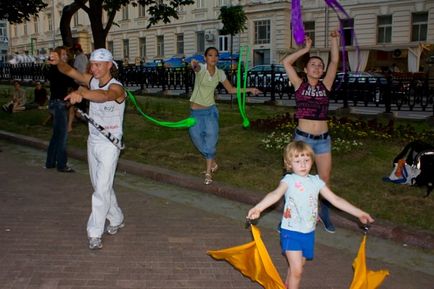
column 403, row 92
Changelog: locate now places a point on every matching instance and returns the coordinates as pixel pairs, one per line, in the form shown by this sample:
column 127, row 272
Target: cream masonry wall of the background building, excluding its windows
column 193, row 19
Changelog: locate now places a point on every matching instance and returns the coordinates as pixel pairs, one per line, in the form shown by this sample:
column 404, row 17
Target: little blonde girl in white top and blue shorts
column 297, row 231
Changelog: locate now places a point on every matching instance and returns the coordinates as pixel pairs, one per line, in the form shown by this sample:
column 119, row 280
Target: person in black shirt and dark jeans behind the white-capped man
column 60, row 85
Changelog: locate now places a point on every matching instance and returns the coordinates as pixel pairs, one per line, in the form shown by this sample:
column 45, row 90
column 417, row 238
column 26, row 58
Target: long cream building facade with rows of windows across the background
column 399, row 32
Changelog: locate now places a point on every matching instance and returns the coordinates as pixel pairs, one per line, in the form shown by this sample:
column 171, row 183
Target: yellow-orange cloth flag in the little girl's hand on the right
column 364, row 278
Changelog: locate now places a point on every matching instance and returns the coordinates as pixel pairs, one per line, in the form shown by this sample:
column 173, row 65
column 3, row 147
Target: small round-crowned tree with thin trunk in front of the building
column 234, row 21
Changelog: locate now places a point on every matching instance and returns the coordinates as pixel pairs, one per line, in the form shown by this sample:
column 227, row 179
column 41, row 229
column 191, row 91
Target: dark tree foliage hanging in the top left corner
column 18, row 11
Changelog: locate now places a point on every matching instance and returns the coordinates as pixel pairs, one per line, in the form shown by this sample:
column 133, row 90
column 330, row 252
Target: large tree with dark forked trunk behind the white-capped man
column 158, row 9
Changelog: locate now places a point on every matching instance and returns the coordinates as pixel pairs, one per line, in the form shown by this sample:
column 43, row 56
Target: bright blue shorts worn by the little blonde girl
column 296, row 241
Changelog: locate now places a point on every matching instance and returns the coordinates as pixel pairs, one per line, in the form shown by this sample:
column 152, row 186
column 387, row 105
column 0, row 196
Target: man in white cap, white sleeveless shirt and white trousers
column 106, row 97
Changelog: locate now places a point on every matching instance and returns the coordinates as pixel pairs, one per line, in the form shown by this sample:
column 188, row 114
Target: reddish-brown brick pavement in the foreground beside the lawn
column 163, row 245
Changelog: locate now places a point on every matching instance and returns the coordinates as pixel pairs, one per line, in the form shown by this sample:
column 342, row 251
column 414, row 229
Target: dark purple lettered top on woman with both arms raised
column 312, row 102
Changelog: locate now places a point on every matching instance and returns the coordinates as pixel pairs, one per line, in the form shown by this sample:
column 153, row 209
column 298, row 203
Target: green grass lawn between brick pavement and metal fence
column 243, row 160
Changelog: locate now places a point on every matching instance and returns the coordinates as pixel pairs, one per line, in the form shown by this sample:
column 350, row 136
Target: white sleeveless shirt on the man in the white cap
column 108, row 114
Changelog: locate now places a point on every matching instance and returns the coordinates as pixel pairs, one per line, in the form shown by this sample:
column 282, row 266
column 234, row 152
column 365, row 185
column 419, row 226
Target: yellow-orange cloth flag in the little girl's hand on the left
column 252, row 260
